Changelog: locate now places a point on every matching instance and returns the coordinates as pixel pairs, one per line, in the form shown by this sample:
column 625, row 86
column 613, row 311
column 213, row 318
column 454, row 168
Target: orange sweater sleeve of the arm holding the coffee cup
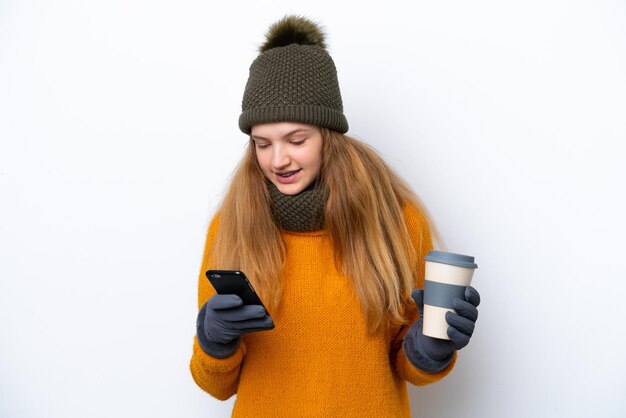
column 421, row 238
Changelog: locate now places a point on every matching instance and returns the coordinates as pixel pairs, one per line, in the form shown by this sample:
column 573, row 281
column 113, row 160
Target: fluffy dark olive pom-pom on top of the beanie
column 293, row 30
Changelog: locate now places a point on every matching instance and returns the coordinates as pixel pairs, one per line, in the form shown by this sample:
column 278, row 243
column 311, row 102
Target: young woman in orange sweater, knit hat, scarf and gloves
column 333, row 241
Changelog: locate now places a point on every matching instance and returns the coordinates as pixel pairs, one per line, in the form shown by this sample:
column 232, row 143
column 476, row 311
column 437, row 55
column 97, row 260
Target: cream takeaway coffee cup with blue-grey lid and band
column 447, row 276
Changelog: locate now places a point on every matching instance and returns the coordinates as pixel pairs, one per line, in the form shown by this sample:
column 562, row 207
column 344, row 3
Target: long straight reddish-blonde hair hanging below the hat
column 363, row 214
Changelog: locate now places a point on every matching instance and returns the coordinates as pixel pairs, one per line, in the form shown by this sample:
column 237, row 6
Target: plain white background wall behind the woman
column 118, row 132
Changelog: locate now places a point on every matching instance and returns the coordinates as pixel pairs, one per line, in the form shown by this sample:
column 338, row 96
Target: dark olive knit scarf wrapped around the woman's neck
column 301, row 212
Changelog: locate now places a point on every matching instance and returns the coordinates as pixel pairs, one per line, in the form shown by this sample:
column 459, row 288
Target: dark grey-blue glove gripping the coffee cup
column 433, row 354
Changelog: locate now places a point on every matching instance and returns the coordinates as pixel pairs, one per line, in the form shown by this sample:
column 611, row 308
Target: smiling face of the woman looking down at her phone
column 289, row 154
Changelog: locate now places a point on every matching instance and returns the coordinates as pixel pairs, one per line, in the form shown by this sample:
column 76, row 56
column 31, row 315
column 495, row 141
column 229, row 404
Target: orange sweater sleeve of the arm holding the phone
column 218, row 377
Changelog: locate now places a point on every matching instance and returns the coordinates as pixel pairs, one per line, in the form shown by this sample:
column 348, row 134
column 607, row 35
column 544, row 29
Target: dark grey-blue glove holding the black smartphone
column 223, row 319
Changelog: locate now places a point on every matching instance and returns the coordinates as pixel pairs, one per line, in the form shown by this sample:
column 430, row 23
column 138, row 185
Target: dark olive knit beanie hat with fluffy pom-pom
column 293, row 79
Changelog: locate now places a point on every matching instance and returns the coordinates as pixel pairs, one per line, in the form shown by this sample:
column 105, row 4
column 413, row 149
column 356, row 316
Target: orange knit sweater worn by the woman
column 319, row 361
